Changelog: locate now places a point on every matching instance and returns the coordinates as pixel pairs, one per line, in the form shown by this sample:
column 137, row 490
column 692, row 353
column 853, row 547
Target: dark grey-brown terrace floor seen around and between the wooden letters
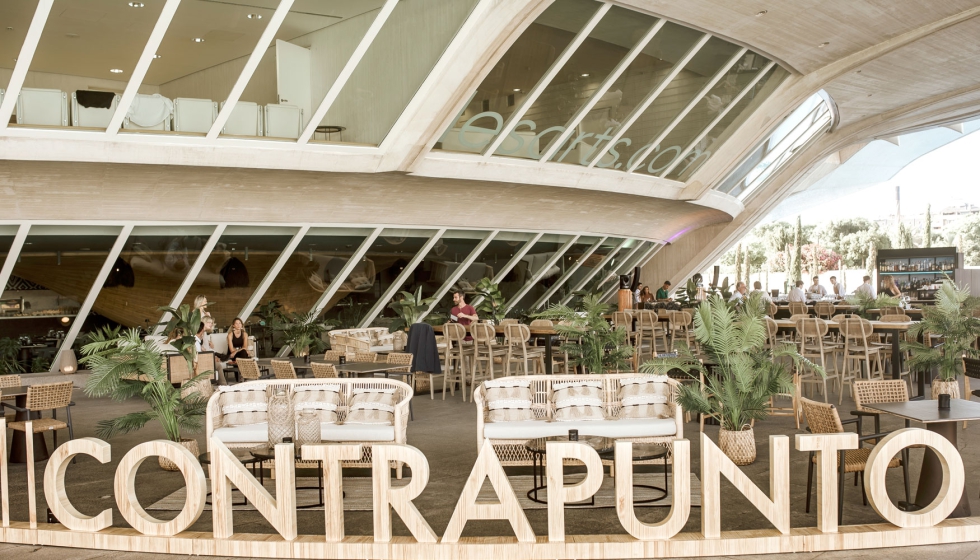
column 445, row 430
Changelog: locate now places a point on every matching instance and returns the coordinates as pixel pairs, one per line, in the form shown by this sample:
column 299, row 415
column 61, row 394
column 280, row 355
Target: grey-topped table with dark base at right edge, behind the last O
column 942, row 422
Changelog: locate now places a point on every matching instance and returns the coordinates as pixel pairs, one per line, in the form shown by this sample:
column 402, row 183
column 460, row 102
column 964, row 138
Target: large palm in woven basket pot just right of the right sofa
column 738, row 374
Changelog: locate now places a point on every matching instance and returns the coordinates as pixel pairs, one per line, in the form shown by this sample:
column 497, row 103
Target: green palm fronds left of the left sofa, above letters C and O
column 126, row 366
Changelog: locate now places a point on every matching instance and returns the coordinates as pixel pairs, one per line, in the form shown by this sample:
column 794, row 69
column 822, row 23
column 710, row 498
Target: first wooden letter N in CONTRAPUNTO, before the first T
column 227, row 470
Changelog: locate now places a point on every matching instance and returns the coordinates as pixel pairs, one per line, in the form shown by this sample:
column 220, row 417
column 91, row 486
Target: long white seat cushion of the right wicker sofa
column 632, row 428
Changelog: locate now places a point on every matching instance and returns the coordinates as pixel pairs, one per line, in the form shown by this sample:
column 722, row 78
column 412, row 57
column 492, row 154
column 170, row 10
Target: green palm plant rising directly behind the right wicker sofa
column 591, row 341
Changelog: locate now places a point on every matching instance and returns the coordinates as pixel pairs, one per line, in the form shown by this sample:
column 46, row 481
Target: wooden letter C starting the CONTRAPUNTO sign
column 54, row 485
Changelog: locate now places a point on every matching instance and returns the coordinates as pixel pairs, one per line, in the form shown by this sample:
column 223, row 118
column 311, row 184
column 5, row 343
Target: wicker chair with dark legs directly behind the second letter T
column 822, row 418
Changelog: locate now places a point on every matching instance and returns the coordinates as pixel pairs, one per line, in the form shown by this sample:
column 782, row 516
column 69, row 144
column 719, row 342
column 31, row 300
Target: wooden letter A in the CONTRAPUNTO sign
column 488, row 466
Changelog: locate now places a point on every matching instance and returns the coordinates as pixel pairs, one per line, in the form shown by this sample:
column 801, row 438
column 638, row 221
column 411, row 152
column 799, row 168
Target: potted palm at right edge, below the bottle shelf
column 953, row 318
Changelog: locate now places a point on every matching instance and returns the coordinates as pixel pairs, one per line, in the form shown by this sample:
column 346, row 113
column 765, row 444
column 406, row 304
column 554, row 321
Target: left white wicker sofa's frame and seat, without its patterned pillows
column 255, row 434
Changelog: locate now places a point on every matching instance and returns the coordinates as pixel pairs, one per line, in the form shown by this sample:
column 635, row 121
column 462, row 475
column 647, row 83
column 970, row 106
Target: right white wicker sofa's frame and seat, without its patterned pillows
column 508, row 437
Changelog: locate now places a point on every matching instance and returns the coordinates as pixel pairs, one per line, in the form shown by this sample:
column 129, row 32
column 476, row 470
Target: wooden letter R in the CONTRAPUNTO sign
column 399, row 499
